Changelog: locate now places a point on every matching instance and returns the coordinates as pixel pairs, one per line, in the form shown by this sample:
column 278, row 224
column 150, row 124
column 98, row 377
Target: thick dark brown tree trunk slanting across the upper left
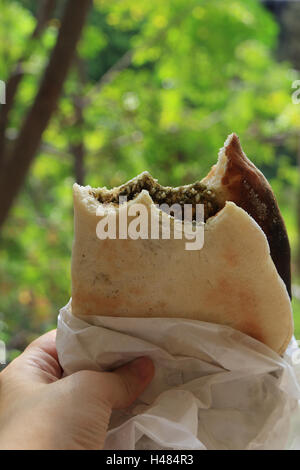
column 37, row 120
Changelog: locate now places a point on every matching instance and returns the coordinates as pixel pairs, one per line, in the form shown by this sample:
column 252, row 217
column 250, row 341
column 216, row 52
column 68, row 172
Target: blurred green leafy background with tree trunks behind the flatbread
column 98, row 92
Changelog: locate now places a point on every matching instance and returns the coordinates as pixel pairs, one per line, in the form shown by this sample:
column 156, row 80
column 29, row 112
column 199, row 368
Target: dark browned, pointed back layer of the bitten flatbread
column 241, row 182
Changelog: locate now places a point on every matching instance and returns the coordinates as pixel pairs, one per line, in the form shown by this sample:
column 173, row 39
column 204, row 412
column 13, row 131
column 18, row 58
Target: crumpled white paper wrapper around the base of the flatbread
column 214, row 387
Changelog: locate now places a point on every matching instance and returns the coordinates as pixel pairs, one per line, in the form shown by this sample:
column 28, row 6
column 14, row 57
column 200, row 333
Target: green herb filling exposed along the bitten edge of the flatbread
column 195, row 193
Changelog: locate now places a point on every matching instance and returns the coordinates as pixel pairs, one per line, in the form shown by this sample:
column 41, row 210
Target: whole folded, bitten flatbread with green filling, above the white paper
column 240, row 278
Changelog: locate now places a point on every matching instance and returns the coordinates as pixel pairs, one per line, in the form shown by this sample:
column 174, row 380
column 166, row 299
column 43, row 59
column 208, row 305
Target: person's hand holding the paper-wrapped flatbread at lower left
column 41, row 410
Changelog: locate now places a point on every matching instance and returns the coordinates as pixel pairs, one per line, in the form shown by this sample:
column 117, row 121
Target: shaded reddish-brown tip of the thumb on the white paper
column 123, row 386
